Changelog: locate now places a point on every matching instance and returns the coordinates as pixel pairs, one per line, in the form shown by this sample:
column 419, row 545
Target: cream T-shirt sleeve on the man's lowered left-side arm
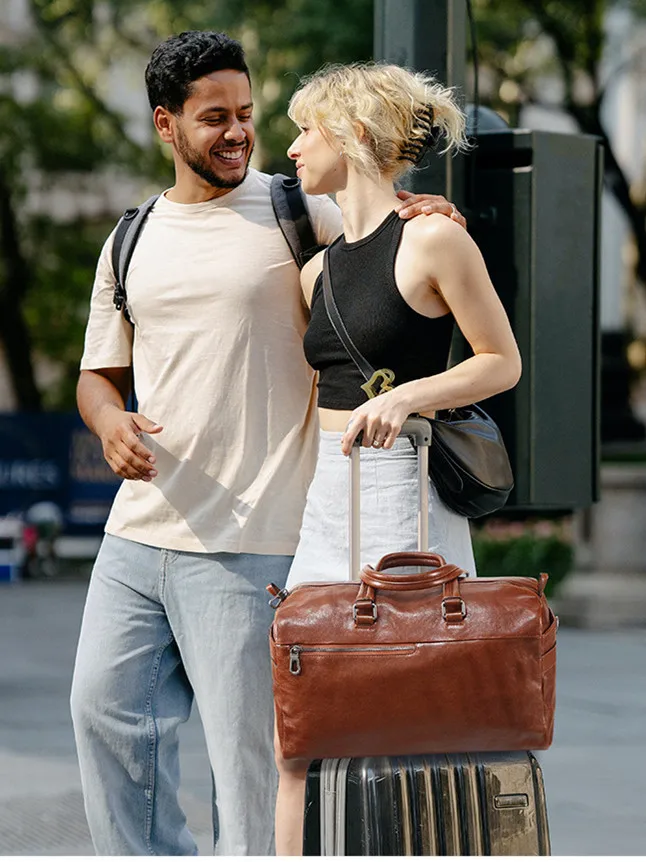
column 108, row 336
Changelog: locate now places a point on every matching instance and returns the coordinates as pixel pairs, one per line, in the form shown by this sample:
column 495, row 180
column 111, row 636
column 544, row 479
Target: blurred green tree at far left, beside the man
column 58, row 133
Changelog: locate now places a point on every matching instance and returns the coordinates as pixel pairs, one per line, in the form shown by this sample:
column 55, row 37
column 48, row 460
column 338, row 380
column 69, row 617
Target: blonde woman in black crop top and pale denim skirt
column 399, row 287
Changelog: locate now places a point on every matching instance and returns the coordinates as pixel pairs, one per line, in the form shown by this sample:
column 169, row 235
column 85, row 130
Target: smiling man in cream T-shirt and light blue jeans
column 218, row 461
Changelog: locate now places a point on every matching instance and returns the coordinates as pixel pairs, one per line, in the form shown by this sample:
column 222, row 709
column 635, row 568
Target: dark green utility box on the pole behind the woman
column 535, row 202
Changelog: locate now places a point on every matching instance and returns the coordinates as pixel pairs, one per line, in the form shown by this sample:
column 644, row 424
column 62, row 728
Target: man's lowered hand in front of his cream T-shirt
column 123, row 450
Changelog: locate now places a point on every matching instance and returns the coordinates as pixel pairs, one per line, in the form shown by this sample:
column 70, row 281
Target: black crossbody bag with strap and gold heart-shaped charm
column 468, row 462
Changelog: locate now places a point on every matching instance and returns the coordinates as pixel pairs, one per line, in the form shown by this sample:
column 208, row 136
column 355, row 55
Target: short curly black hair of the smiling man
column 182, row 59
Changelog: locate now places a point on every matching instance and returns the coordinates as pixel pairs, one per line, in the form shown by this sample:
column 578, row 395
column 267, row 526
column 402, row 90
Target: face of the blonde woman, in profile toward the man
column 320, row 163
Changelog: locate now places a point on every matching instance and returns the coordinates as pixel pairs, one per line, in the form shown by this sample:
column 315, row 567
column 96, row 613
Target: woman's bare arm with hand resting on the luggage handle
column 448, row 260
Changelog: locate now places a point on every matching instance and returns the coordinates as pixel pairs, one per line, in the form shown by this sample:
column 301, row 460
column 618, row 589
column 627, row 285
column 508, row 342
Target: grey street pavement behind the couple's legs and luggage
column 595, row 773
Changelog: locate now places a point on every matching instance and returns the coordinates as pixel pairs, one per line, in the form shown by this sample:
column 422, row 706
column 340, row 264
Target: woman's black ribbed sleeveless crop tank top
column 388, row 332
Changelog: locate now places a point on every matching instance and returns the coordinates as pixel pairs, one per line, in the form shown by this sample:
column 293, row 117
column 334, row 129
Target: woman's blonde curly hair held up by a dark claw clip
column 385, row 116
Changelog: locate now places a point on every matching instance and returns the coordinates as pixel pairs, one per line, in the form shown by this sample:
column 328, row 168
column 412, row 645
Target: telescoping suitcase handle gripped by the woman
column 418, row 430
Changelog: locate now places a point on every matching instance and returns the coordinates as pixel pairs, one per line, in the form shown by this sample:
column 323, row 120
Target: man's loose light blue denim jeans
column 160, row 627
